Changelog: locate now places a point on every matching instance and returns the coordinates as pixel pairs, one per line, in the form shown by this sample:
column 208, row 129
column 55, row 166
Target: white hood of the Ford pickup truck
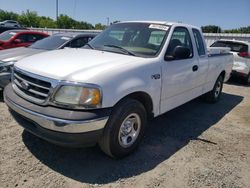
column 74, row 64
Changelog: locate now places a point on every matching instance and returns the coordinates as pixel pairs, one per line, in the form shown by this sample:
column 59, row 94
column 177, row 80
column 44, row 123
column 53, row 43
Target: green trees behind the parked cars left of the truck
column 32, row 19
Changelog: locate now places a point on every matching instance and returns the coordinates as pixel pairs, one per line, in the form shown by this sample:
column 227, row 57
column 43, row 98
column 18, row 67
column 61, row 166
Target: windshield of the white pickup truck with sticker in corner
column 139, row 39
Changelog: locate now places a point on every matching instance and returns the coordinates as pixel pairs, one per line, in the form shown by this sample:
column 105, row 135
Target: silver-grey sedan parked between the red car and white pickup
column 57, row 41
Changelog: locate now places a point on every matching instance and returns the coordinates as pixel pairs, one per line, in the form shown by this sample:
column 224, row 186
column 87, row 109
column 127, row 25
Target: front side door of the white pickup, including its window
column 178, row 75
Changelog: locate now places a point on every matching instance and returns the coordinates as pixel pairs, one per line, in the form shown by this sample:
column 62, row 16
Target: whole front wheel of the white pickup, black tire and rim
column 125, row 129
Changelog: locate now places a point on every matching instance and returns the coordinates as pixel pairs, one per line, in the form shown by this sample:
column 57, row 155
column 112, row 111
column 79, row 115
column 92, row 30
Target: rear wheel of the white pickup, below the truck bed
column 214, row 95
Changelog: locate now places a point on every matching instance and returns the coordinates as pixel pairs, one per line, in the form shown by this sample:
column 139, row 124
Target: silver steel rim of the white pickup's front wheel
column 129, row 130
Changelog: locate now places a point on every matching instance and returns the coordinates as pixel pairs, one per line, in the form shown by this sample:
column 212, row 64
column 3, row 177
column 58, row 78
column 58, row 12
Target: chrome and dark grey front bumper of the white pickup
column 60, row 126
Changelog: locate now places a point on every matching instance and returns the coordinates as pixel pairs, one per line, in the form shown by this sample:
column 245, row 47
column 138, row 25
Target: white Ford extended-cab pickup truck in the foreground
column 105, row 92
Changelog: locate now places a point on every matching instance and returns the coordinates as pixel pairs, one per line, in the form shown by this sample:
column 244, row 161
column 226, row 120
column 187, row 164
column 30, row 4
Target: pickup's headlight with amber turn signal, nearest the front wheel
column 87, row 97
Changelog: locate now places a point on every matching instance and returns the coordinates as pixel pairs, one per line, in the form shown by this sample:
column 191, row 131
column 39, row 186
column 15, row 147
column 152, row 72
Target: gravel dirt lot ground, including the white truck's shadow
column 195, row 145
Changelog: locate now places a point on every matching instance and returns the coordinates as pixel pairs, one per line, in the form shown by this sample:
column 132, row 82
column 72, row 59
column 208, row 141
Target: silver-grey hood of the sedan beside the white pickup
column 15, row 54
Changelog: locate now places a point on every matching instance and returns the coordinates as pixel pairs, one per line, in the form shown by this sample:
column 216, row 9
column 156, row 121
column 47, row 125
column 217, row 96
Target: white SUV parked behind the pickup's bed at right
column 241, row 52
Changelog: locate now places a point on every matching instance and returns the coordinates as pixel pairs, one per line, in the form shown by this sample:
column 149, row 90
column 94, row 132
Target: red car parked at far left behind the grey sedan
column 19, row 38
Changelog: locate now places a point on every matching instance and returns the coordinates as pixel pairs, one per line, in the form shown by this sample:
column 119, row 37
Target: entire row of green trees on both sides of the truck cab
column 32, row 19
